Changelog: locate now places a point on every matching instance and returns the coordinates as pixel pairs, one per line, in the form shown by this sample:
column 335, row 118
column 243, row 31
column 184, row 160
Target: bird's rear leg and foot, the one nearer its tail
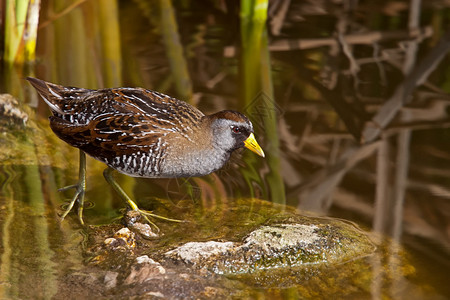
column 80, row 190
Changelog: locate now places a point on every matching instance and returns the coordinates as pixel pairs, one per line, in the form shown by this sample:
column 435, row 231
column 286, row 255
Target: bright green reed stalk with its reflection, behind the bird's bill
column 257, row 83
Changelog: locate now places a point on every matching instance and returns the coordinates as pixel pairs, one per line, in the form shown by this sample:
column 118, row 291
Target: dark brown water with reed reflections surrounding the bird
column 319, row 92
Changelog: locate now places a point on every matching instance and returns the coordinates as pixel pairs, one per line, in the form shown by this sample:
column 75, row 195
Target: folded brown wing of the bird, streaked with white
column 128, row 124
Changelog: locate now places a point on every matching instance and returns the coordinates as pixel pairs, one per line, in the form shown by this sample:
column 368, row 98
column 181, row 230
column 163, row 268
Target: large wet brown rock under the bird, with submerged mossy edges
column 285, row 250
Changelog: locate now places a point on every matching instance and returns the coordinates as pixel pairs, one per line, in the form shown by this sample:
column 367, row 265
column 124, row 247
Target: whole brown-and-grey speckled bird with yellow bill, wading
column 142, row 133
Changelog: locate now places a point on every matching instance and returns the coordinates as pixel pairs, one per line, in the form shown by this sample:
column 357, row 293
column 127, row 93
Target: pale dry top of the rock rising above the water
column 277, row 246
